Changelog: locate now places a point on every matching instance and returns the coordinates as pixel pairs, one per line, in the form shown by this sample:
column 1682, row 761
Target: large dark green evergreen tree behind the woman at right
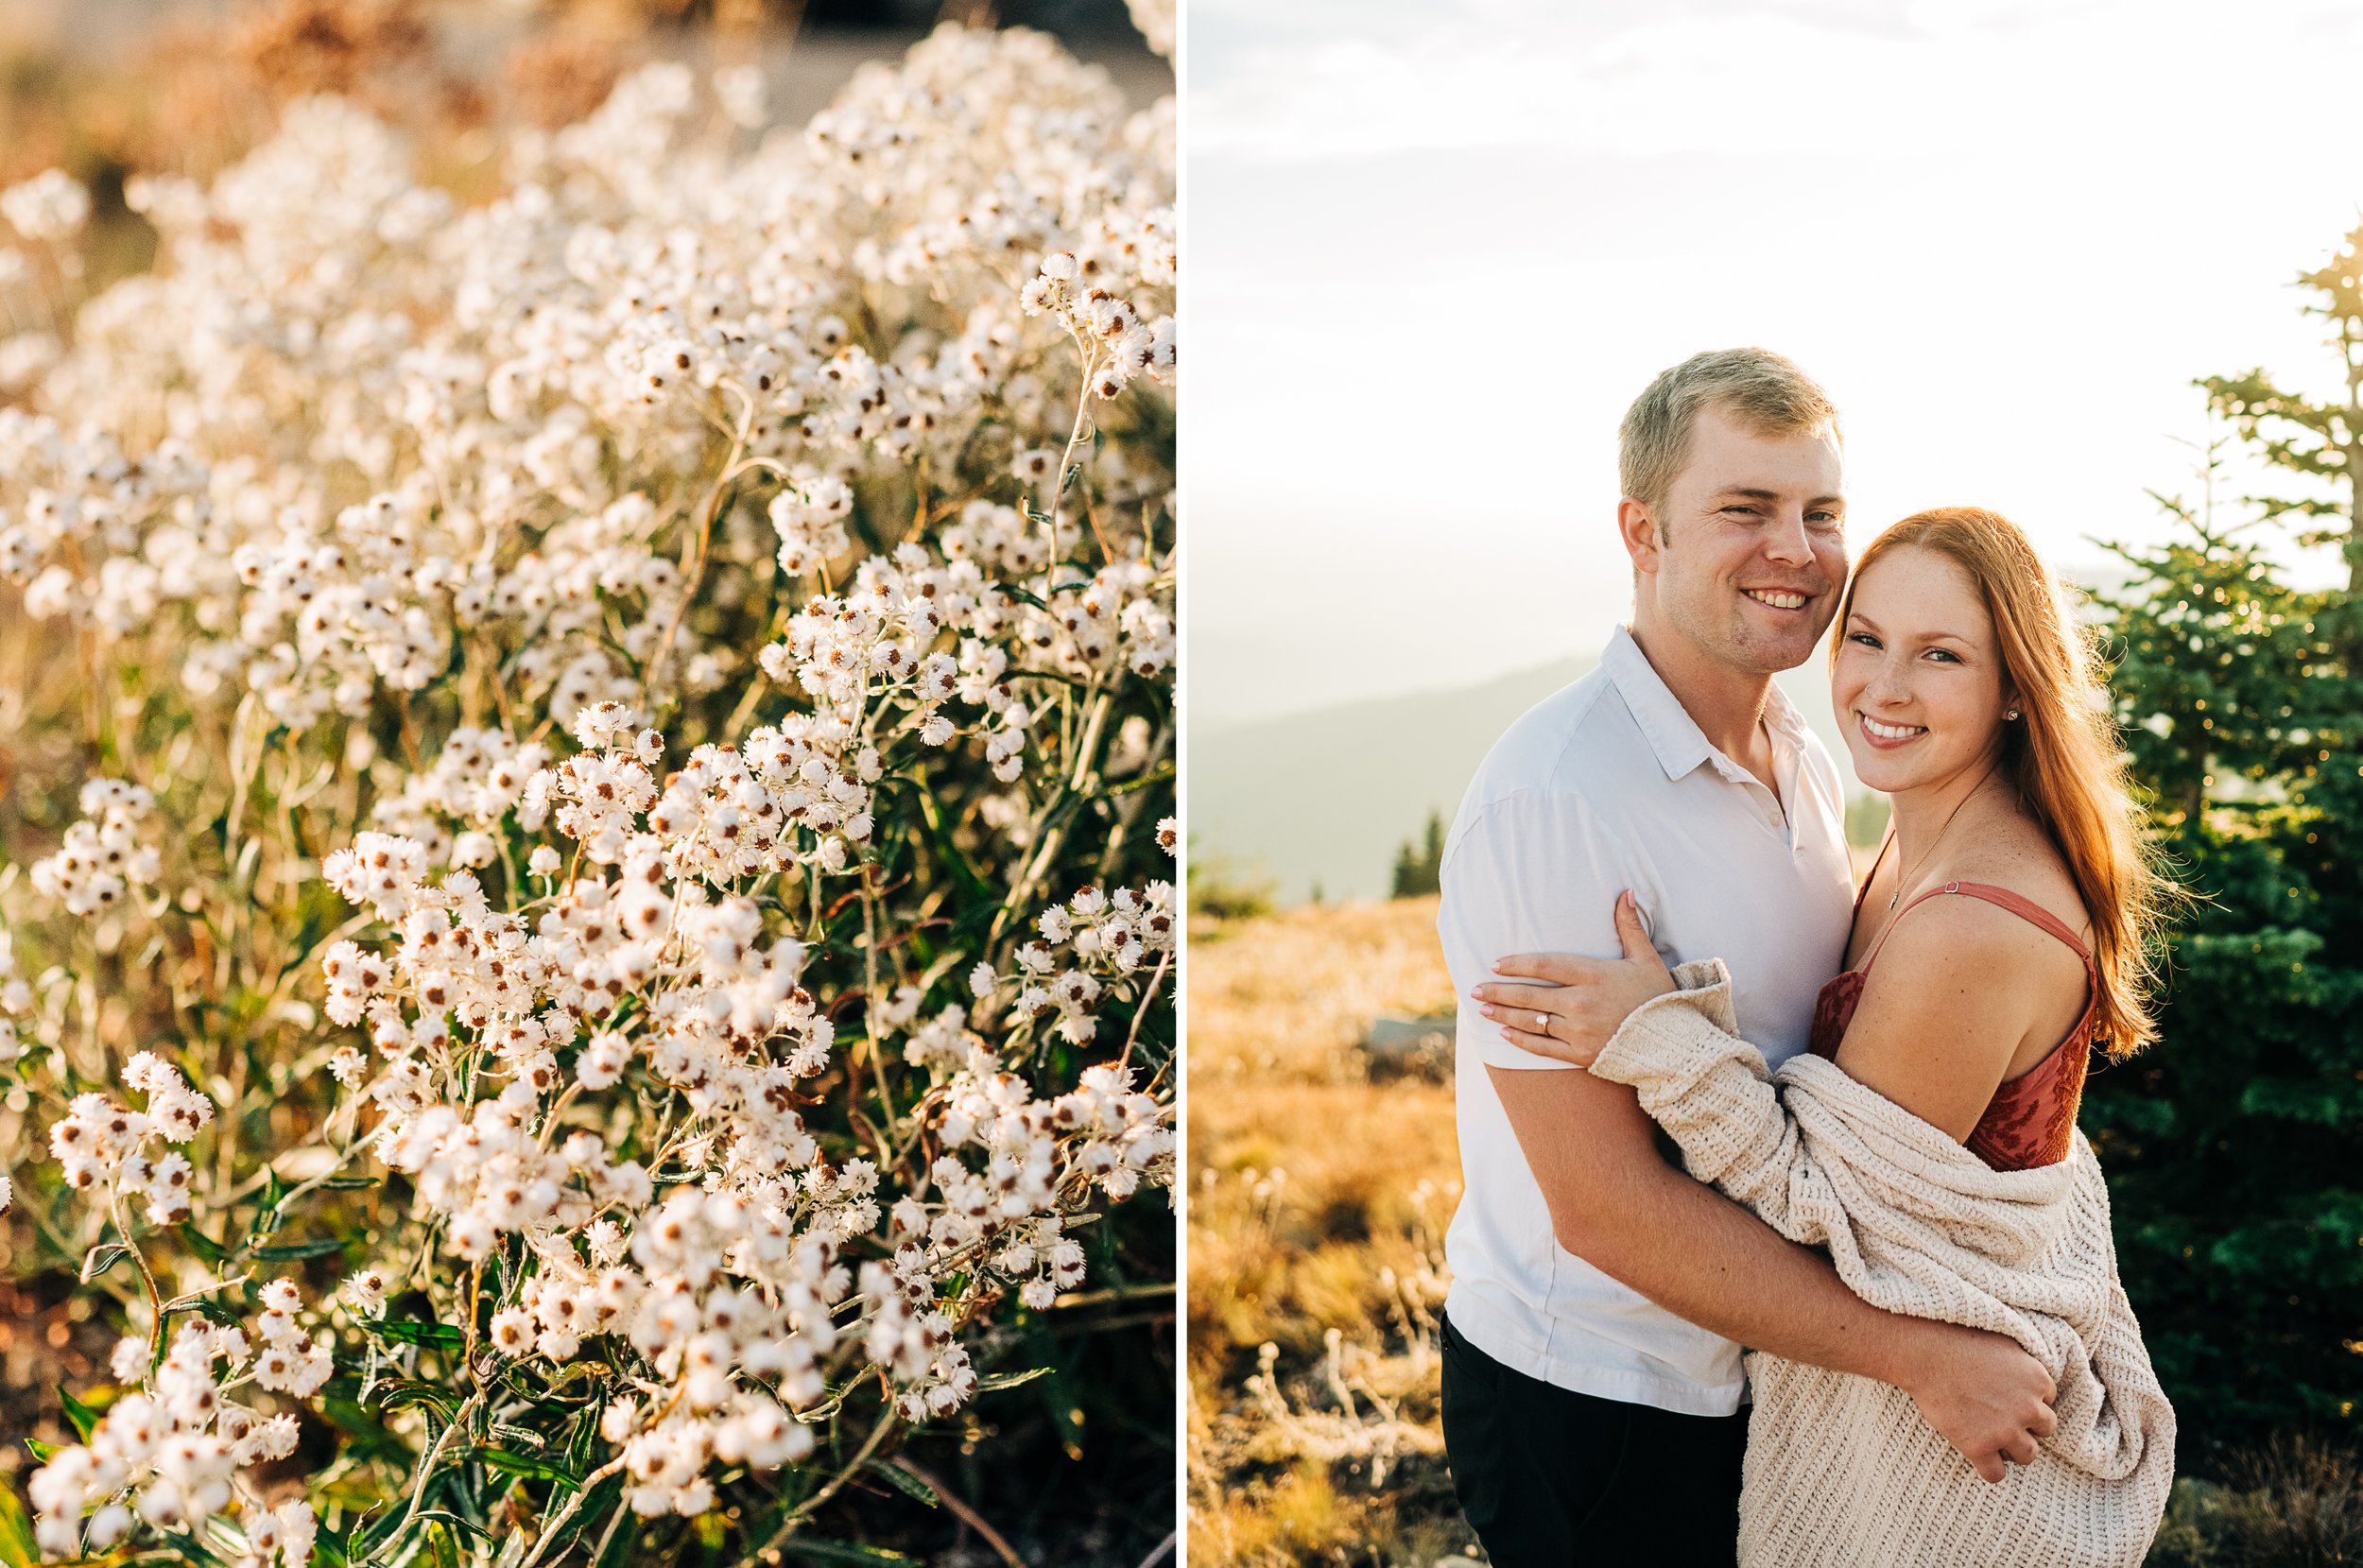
column 2237, row 1144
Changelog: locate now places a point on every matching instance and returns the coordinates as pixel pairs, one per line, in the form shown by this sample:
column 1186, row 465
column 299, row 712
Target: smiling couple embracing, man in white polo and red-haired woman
column 1792, row 1250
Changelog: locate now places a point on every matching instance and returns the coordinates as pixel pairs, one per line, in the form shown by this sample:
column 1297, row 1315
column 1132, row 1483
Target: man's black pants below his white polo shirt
column 1556, row 1479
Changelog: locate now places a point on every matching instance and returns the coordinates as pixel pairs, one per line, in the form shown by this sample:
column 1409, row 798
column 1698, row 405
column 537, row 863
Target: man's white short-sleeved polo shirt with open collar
column 1601, row 788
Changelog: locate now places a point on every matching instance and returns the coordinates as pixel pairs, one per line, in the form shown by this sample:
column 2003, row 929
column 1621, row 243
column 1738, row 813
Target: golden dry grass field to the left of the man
column 1317, row 1243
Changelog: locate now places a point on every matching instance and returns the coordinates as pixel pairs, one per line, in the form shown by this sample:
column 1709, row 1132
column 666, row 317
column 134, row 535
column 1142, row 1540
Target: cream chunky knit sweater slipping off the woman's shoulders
column 1842, row 1470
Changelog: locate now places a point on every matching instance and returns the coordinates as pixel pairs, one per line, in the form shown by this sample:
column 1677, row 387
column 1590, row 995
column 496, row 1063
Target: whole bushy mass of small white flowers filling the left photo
column 639, row 651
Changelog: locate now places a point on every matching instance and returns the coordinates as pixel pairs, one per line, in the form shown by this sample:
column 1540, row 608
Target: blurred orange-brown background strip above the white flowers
column 110, row 89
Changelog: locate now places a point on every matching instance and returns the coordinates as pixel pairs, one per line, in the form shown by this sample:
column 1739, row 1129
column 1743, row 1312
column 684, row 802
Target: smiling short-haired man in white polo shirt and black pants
column 1591, row 1350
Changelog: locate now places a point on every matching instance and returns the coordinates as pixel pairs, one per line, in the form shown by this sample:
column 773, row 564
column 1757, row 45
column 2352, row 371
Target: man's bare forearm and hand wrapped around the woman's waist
column 1617, row 1206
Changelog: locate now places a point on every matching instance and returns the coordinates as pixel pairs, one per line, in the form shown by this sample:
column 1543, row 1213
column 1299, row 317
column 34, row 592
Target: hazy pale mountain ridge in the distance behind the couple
column 1324, row 799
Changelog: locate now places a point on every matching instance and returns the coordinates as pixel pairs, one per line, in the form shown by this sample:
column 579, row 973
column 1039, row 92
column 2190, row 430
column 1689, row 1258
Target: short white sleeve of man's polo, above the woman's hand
column 1528, row 873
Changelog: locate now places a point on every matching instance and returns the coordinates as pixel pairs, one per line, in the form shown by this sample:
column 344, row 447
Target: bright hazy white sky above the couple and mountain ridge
column 1436, row 249
